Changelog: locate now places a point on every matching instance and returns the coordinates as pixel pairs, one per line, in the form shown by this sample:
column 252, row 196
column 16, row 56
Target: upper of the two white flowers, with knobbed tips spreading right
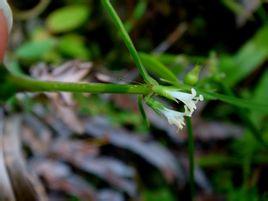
column 189, row 99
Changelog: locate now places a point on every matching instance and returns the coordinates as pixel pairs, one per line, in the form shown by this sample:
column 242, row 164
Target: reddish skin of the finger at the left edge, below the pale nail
column 3, row 35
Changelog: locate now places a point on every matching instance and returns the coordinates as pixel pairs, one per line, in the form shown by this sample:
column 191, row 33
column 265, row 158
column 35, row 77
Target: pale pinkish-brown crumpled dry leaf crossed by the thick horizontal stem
column 73, row 71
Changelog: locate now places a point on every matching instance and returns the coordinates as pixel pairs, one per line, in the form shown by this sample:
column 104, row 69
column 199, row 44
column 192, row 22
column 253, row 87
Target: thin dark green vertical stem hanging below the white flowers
column 191, row 156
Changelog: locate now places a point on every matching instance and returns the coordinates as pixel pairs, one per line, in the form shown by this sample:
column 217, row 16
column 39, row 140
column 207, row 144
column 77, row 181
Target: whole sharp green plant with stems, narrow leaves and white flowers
column 14, row 81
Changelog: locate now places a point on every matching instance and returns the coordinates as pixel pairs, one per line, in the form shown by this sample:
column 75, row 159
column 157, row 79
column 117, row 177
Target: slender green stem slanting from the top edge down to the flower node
column 128, row 42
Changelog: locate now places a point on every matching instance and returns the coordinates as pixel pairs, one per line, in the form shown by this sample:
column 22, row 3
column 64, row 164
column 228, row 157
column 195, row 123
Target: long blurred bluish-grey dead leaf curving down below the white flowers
column 151, row 151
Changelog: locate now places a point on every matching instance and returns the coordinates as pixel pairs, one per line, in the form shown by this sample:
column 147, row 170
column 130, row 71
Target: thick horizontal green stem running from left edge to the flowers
column 24, row 83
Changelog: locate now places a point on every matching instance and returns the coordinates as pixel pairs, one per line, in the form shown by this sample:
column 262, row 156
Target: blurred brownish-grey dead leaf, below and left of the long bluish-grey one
column 85, row 157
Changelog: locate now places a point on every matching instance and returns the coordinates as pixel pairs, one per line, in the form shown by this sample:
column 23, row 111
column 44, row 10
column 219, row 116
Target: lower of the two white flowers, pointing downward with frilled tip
column 174, row 117
